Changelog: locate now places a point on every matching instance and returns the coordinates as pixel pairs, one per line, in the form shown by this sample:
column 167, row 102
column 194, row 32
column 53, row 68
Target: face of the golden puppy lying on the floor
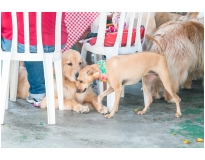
column 72, row 63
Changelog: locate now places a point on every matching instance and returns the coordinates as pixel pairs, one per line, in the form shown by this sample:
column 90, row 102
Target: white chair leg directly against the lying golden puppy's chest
column 59, row 82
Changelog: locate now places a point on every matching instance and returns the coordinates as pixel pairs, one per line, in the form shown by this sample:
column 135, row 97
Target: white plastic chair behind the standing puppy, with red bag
column 100, row 49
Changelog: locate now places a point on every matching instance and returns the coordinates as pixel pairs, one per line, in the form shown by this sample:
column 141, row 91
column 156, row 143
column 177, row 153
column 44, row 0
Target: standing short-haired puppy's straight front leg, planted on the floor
column 118, row 92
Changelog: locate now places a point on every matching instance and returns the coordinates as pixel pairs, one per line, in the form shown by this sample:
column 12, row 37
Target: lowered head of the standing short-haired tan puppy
column 86, row 76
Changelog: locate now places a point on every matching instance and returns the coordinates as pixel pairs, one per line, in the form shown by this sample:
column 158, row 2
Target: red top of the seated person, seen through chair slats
column 48, row 30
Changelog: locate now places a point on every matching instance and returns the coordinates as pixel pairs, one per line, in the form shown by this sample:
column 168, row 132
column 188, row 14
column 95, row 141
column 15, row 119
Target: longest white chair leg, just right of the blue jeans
column 48, row 73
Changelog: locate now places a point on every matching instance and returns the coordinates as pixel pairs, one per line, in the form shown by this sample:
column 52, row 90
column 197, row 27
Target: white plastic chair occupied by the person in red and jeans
column 11, row 65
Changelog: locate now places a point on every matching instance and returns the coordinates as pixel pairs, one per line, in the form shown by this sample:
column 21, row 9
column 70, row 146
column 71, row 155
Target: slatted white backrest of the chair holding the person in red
column 27, row 56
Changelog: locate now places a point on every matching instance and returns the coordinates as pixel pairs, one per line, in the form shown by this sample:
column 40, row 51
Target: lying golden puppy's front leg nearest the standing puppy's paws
column 92, row 99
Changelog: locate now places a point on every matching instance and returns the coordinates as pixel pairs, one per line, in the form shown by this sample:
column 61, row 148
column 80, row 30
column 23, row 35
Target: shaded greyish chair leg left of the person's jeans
column 13, row 80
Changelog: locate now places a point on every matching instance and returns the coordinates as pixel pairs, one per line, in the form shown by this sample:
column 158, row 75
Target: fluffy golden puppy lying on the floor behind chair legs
column 72, row 63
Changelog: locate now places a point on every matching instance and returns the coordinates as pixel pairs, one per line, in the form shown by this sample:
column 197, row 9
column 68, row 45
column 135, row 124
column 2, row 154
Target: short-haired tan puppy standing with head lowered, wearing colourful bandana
column 128, row 70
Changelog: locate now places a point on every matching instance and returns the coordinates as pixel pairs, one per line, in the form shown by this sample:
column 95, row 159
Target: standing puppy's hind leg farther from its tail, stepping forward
column 147, row 84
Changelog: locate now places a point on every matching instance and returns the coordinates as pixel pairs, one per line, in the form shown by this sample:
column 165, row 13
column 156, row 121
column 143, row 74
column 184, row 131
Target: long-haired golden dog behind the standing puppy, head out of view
column 183, row 46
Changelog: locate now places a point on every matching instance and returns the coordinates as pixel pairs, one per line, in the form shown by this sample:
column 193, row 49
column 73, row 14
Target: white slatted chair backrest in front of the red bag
column 129, row 18
